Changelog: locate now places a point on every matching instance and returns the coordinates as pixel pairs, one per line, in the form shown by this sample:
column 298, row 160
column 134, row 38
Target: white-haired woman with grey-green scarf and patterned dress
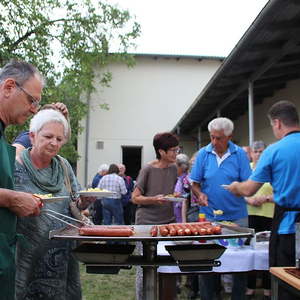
column 45, row 268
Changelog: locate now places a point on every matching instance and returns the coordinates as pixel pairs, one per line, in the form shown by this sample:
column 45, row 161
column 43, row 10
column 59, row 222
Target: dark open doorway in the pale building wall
column 132, row 159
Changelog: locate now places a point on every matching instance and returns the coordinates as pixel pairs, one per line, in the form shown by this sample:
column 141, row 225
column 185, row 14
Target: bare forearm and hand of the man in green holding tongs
column 20, row 203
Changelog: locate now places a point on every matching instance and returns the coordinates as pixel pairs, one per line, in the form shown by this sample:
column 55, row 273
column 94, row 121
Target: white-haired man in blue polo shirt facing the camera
column 217, row 164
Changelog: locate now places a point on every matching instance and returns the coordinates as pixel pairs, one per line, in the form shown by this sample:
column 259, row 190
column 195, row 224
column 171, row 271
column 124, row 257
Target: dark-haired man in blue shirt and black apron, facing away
column 279, row 164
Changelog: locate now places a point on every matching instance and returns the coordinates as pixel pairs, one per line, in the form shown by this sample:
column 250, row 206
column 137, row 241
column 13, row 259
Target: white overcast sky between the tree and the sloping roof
column 191, row 27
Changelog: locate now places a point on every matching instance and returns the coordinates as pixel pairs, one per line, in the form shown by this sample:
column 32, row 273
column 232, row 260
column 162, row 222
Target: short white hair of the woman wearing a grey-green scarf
column 48, row 116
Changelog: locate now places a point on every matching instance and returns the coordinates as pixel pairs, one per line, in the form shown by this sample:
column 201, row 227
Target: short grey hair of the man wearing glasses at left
column 21, row 71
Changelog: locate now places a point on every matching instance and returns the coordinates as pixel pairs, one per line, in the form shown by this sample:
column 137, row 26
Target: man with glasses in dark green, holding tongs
column 20, row 93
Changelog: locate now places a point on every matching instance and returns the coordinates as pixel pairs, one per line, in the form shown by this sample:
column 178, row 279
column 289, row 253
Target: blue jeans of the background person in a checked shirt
column 112, row 211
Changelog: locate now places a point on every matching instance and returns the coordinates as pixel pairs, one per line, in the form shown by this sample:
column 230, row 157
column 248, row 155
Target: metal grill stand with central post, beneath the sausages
column 149, row 260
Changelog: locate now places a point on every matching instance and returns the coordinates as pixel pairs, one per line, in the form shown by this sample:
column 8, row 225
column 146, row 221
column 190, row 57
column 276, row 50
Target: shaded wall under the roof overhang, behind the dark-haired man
column 262, row 128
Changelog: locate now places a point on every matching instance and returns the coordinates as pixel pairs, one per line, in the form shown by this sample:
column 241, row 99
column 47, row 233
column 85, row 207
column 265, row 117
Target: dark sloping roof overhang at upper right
column 268, row 55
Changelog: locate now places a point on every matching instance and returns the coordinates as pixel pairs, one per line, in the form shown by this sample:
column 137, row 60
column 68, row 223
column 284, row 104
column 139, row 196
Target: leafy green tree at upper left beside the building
column 65, row 39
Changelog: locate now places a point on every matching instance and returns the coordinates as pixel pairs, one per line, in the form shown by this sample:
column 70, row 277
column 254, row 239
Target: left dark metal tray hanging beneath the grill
column 102, row 253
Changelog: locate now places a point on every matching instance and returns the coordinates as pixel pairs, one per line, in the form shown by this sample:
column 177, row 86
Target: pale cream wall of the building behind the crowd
column 148, row 98
